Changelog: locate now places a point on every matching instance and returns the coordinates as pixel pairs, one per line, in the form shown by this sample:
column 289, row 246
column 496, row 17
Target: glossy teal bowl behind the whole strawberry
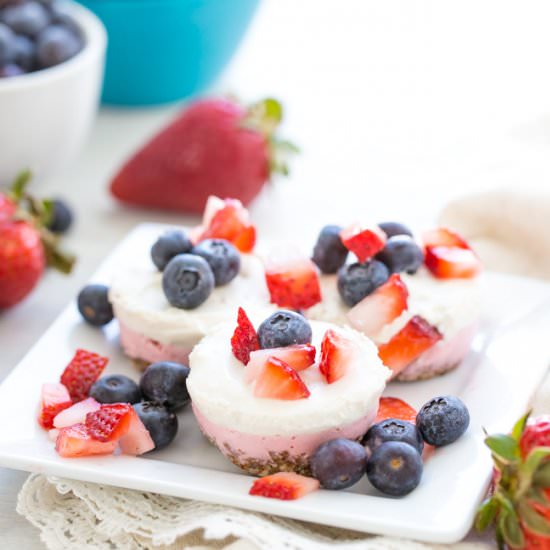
column 164, row 50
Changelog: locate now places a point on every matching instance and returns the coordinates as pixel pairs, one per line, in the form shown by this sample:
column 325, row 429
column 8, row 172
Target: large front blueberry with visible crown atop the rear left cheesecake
column 187, row 281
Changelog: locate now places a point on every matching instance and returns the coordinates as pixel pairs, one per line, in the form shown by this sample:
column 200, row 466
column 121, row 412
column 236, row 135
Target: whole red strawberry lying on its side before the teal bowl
column 215, row 147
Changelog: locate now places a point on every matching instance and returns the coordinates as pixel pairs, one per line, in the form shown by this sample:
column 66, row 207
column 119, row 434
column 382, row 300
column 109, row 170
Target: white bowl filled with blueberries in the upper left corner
column 45, row 116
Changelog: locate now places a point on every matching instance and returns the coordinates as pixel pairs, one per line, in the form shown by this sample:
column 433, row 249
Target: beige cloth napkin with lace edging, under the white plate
column 511, row 233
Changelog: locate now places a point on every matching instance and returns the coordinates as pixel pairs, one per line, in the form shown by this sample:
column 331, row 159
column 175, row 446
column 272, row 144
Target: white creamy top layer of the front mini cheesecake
column 218, row 388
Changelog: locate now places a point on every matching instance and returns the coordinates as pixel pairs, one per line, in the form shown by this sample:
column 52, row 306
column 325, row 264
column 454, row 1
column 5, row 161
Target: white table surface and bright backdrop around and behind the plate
column 398, row 106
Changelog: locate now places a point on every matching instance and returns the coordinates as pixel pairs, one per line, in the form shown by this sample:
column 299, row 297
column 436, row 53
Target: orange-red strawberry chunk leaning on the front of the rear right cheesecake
column 408, row 344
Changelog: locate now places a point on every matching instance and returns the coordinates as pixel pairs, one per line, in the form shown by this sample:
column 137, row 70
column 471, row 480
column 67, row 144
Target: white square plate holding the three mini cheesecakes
column 509, row 357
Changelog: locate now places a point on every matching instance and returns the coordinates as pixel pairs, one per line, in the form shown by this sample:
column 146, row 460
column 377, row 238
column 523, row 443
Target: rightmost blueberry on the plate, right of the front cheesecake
column 442, row 420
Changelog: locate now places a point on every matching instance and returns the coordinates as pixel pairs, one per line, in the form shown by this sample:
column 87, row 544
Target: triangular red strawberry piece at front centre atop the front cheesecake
column 279, row 381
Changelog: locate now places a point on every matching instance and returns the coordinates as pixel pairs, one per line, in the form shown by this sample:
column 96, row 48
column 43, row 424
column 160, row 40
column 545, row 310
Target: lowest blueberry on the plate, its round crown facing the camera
column 395, row 468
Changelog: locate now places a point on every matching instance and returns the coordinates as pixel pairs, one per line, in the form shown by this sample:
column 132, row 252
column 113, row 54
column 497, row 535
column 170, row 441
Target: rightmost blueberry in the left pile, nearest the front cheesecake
column 166, row 383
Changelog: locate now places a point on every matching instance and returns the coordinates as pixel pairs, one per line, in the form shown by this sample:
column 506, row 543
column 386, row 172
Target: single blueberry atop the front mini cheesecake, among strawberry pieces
column 284, row 328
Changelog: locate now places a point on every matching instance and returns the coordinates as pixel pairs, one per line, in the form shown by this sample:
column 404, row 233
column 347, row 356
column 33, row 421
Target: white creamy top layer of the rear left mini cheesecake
column 140, row 304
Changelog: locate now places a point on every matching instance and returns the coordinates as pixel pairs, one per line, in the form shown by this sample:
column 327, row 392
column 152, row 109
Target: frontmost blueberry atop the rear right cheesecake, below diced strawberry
column 355, row 281
